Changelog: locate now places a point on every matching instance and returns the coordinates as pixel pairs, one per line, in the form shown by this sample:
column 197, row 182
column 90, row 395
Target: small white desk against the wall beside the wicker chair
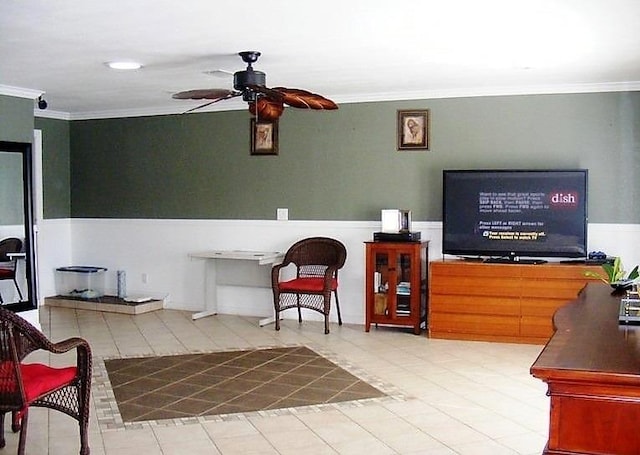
column 234, row 268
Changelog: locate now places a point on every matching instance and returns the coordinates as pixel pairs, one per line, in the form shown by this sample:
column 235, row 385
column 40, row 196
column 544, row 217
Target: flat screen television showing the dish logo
column 511, row 215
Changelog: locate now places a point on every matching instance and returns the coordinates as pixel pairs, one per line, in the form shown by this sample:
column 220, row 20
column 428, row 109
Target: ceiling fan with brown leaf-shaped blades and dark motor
column 265, row 103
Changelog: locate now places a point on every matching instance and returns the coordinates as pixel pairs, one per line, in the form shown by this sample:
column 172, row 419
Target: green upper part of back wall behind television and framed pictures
column 343, row 165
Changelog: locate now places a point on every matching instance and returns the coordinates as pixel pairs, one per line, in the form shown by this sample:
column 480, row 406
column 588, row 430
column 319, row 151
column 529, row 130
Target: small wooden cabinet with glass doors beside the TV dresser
column 396, row 282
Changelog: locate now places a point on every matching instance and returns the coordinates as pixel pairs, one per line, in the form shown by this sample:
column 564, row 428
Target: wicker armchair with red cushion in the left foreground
column 32, row 384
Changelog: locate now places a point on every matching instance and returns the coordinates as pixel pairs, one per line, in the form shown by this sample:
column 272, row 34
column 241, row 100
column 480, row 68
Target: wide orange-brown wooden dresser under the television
column 500, row 302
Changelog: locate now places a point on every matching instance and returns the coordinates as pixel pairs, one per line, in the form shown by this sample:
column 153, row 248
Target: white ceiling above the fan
column 346, row 50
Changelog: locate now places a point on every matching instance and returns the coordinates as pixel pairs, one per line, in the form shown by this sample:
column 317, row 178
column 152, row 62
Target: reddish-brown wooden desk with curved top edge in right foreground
column 592, row 368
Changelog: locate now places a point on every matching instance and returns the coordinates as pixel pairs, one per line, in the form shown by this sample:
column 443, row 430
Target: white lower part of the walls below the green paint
column 160, row 248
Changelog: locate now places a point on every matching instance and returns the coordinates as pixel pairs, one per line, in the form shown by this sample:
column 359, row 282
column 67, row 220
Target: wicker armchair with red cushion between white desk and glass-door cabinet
column 317, row 261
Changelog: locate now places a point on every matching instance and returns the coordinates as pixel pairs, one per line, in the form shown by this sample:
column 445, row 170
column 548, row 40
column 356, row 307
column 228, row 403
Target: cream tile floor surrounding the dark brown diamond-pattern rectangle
column 451, row 397
